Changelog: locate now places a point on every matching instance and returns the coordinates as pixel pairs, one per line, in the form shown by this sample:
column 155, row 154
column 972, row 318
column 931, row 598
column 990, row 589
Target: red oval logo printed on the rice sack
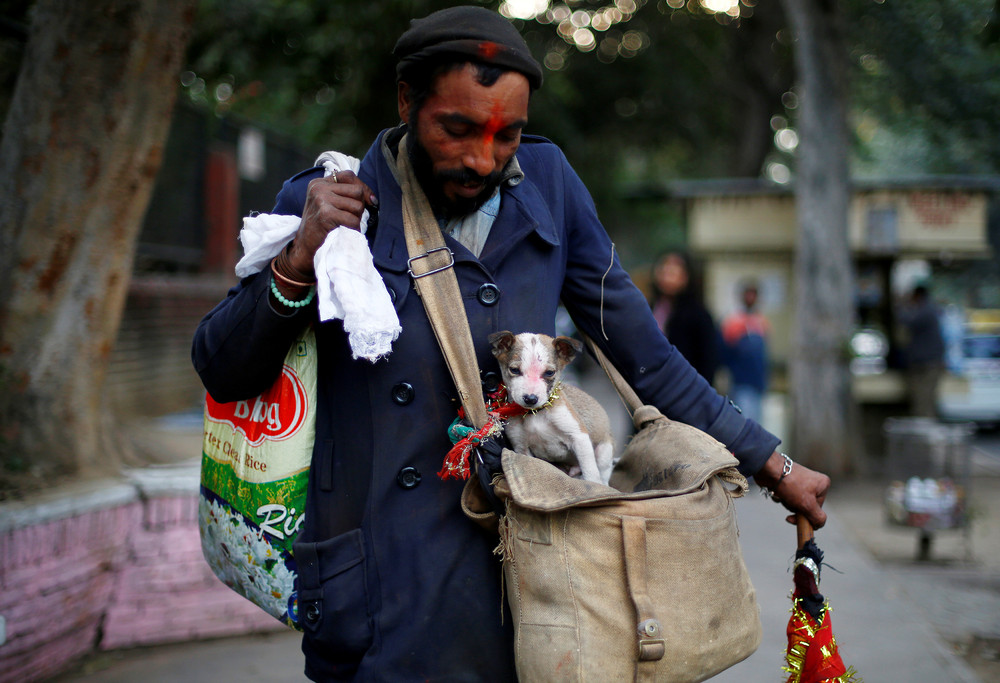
column 275, row 415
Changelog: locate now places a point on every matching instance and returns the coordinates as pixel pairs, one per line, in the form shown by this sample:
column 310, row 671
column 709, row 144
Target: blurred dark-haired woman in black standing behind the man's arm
column 681, row 315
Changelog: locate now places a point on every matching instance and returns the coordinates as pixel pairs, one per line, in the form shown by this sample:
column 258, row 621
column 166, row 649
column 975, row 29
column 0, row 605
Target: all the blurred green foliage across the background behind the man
column 672, row 91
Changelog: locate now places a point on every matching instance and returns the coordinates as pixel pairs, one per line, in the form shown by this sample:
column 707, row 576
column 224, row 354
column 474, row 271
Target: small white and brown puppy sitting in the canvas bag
column 574, row 432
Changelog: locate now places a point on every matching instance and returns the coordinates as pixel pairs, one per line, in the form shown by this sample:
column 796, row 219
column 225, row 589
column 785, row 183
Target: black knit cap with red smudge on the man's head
column 473, row 32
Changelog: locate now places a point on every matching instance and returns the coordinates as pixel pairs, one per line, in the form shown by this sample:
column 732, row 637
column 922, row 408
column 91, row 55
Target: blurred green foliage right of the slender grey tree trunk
column 926, row 88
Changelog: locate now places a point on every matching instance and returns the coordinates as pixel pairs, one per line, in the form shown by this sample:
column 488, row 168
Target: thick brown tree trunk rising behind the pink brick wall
column 83, row 142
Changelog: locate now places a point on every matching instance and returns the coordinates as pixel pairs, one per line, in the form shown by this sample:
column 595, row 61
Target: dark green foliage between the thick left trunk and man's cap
column 320, row 72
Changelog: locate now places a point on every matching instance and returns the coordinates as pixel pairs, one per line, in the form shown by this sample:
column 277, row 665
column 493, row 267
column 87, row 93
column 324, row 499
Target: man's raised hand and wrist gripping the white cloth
column 336, row 200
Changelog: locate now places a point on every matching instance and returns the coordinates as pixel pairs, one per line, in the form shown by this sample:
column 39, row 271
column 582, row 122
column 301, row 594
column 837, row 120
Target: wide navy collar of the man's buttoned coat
column 522, row 212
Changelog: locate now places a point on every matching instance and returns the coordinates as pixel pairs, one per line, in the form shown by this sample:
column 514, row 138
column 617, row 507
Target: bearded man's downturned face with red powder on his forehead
column 464, row 135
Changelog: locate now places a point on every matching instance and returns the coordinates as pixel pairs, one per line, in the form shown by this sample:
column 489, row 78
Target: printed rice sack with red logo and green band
column 254, row 475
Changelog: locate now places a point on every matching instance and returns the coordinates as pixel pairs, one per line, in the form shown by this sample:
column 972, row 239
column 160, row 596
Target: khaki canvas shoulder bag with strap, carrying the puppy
column 642, row 580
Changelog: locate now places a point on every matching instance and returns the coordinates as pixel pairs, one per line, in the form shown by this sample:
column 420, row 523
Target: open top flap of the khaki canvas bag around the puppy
column 664, row 458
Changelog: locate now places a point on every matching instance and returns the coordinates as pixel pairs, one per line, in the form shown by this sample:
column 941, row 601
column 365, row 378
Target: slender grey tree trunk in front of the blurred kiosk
column 820, row 382
